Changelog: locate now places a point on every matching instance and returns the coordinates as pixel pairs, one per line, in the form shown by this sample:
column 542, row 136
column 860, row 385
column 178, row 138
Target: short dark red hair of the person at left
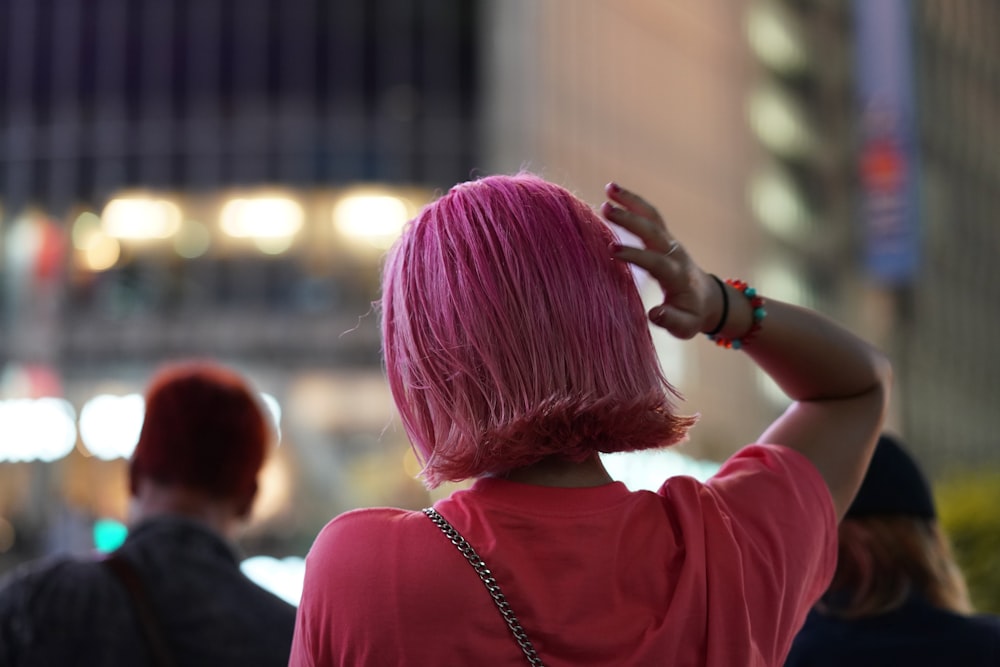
column 204, row 429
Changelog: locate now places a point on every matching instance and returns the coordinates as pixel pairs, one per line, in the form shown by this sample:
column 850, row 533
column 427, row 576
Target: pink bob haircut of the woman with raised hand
column 511, row 335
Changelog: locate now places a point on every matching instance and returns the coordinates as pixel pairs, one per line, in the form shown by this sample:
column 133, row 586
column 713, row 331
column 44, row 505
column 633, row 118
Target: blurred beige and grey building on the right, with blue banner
column 747, row 129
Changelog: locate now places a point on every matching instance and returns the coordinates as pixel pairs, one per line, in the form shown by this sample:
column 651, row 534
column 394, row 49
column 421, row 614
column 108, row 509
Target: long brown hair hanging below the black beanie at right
column 881, row 560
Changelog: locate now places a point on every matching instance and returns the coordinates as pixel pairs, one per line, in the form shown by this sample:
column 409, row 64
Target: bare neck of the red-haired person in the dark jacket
column 153, row 499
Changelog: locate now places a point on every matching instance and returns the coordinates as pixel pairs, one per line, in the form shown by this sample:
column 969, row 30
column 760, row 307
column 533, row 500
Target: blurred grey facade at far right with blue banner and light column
column 924, row 291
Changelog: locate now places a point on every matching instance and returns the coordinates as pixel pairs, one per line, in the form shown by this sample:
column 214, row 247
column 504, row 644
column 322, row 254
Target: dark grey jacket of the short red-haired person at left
column 72, row 611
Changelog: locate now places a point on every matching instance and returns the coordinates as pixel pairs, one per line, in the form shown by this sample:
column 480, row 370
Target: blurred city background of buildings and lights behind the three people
column 220, row 178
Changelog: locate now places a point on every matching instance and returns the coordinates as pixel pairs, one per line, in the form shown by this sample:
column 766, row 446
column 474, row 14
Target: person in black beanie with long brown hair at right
column 898, row 597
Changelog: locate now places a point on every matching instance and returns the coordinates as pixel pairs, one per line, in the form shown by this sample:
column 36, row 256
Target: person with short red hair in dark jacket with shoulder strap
column 173, row 593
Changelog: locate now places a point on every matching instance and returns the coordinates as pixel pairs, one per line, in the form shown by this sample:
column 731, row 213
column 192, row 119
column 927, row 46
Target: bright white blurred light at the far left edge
column 40, row 429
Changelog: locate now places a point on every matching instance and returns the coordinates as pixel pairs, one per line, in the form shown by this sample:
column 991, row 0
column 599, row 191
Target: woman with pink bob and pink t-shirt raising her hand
column 517, row 349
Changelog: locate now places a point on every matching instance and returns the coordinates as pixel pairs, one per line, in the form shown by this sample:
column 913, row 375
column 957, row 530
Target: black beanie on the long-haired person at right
column 893, row 484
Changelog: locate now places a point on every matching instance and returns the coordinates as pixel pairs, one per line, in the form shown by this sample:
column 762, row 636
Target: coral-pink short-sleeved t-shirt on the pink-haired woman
column 721, row 573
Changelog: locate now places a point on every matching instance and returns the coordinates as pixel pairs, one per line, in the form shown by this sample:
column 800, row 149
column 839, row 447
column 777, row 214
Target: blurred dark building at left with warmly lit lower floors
column 213, row 178
